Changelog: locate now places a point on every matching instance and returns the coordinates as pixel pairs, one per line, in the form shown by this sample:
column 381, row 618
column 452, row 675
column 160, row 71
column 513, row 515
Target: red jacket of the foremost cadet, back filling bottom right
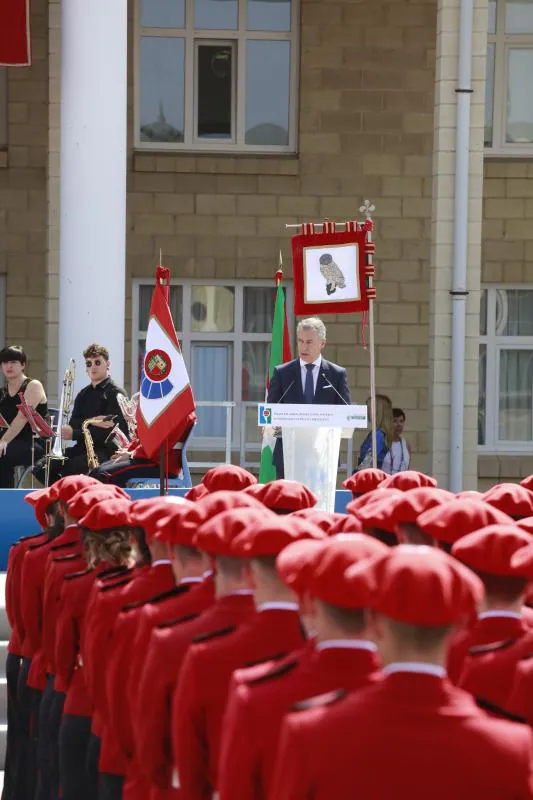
column 408, row 736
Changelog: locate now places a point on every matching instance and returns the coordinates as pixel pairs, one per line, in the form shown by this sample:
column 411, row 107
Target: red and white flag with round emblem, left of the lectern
column 165, row 398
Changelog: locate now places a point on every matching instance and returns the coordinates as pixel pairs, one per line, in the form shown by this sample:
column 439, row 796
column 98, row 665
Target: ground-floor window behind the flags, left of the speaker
column 225, row 329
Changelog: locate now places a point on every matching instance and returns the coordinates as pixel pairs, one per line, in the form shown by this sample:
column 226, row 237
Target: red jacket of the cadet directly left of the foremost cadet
column 257, row 705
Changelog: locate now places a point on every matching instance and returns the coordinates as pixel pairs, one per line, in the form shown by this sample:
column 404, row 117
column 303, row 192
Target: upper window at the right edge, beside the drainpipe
column 509, row 100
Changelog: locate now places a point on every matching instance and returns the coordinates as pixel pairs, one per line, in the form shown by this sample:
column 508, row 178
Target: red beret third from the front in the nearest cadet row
column 268, row 536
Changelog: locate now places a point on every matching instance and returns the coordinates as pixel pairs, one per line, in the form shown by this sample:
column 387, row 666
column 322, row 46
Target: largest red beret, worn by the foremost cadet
column 420, row 585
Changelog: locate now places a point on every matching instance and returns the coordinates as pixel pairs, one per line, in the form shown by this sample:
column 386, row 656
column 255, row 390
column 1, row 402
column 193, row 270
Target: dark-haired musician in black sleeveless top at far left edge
column 16, row 441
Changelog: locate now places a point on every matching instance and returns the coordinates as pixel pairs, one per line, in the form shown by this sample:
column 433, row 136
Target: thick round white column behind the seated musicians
column 93, row 180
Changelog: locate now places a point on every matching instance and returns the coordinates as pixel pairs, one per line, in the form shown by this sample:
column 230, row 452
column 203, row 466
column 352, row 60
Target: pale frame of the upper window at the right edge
column 503, row 43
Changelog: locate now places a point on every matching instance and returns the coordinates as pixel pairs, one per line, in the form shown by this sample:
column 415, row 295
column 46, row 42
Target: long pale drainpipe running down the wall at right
column 459, row 291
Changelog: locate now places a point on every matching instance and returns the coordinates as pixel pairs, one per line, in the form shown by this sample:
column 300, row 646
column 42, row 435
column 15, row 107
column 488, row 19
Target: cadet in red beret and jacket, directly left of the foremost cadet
column 341, row 654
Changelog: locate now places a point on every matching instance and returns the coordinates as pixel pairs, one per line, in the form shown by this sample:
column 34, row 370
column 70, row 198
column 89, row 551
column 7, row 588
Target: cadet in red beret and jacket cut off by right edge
column 489, row 670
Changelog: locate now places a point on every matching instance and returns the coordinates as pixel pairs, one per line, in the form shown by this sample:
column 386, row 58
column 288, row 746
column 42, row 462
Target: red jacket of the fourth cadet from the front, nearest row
column 168, row 648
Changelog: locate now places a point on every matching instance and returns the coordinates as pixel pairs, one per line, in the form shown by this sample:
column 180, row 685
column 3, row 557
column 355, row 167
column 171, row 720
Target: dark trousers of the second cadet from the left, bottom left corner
column 28, row 702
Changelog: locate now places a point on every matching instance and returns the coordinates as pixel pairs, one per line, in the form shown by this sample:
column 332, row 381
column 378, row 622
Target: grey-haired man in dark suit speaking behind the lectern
column 307, row 379
